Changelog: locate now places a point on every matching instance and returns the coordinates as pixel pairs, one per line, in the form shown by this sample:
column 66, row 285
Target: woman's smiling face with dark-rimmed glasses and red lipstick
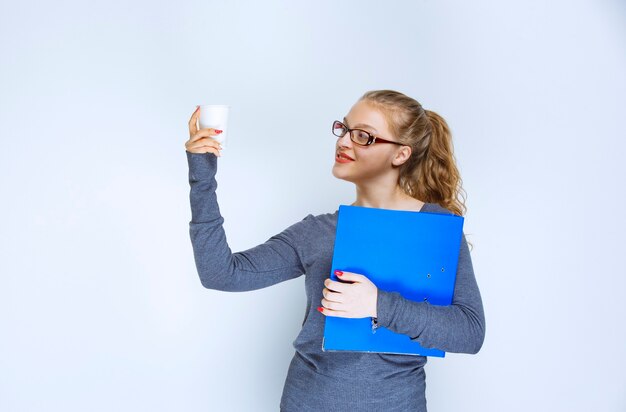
column 370, row 161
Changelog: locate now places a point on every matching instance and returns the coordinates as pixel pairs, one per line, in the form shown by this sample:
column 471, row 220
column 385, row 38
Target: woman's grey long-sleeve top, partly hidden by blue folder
column 333, row 381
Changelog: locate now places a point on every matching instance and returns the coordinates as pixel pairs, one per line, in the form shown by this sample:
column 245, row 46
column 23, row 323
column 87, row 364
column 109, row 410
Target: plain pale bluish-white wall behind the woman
column 100, row 305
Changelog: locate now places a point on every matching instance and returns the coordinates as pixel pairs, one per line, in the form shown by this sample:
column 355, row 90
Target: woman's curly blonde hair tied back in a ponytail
column 430, row 174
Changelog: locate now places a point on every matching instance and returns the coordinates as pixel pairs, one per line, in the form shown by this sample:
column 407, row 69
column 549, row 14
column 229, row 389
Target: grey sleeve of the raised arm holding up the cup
column 277, row 260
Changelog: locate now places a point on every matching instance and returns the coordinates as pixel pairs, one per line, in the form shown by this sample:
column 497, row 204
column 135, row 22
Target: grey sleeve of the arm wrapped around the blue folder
column 458, row 327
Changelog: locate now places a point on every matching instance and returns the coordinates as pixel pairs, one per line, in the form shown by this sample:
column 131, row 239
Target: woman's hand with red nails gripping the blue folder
column 349, row 300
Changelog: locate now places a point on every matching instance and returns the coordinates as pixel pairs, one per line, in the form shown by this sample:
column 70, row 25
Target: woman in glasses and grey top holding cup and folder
column 399, row 156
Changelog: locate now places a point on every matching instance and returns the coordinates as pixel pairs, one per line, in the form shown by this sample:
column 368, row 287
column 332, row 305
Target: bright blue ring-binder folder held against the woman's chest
column 413, row 253
